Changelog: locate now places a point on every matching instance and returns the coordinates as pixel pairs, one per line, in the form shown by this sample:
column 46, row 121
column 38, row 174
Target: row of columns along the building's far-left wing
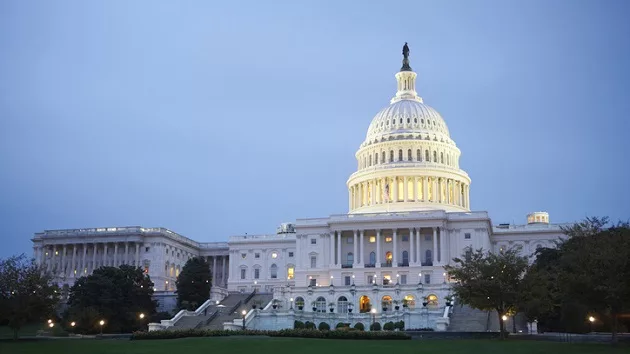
column 78, row 259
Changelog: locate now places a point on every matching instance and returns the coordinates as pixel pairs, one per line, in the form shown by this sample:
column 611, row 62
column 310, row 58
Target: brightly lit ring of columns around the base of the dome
column 409, row 189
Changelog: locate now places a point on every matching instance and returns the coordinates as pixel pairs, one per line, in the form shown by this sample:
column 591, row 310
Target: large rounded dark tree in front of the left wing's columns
column 116, row 295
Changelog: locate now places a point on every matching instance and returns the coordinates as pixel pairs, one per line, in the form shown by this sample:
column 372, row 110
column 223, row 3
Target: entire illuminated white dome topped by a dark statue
column 408, row 160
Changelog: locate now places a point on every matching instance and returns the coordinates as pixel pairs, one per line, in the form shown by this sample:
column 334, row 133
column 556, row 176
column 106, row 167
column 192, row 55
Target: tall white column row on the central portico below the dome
column 438, row 247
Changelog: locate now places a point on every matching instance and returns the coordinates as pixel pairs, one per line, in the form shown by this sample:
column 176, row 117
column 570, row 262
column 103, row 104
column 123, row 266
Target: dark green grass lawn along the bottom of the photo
column 234, row 345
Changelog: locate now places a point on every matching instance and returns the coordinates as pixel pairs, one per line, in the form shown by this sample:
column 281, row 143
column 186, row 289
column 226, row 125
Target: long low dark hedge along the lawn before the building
column 302, row 333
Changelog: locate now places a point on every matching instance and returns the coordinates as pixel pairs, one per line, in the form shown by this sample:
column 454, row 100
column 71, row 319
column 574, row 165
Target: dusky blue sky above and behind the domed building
column 219, row 118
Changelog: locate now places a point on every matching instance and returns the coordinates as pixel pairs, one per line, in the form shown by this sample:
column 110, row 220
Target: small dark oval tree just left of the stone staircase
column 193, row 283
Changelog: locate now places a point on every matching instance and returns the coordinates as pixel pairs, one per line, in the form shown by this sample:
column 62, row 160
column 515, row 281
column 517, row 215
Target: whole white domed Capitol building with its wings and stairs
column 409, row 214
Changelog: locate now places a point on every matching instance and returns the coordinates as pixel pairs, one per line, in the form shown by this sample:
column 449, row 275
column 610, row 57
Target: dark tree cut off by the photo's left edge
column 27, row 293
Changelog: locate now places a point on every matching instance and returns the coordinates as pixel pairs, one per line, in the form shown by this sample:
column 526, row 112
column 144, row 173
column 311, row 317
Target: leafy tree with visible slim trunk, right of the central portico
column 489, row 281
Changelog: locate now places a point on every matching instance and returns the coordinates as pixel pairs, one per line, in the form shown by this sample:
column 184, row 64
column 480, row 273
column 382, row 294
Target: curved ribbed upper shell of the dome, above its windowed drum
column 408, row 117
